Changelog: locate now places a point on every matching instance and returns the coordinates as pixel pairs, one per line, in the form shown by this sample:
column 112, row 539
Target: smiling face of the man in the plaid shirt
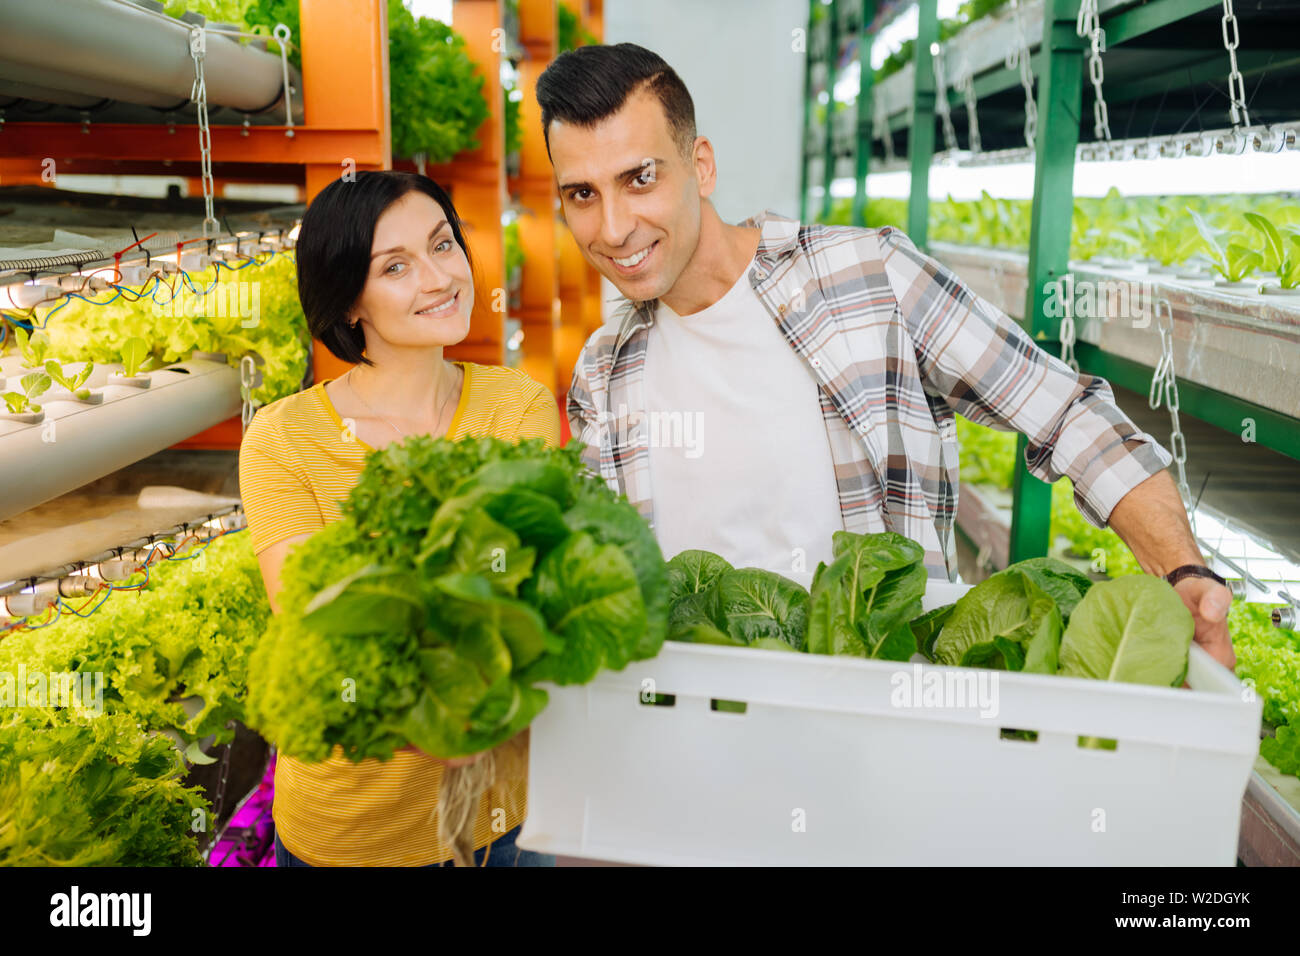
column 630, row 197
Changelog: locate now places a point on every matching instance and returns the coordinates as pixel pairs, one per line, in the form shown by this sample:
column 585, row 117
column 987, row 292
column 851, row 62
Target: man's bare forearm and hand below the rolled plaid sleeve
column 1152, row 522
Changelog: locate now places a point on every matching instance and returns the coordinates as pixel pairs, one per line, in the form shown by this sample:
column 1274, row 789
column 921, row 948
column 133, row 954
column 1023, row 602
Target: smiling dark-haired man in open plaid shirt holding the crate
column 770, row 383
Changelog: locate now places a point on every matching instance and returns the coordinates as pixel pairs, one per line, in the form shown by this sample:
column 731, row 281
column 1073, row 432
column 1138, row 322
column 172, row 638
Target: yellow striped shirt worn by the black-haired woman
column 296, row 462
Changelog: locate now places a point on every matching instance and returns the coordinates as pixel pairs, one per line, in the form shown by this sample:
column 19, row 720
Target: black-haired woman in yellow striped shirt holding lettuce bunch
column 387, row 284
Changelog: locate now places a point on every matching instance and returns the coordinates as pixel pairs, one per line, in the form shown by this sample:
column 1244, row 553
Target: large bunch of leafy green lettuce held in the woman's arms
column 461, row 576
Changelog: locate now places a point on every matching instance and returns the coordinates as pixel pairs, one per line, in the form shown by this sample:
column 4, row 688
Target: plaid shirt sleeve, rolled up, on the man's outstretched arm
column 989, row 370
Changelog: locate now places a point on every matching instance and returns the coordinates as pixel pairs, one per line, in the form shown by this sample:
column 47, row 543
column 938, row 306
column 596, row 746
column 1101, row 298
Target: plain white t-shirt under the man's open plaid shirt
column 740, row 462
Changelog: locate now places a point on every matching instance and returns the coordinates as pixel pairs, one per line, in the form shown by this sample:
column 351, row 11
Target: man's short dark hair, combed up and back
column 587, row 85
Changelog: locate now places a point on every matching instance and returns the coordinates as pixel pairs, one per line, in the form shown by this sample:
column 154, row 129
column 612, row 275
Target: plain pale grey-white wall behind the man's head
column 748, row 85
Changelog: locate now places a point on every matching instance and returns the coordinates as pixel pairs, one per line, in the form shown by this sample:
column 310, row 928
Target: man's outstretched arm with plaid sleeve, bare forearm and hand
column 987, row 369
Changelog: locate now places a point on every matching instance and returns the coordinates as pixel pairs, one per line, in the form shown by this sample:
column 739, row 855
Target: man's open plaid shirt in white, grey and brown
column 898, row 345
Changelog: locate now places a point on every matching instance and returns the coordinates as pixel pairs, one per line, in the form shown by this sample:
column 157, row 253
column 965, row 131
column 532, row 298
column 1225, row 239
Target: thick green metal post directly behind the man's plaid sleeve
column 1060, row 98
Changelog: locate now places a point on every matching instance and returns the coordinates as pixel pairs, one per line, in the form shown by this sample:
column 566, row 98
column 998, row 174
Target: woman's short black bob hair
column 335, row 250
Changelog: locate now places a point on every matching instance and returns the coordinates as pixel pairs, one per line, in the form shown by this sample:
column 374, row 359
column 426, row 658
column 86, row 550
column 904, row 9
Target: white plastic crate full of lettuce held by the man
column 827, row 768
